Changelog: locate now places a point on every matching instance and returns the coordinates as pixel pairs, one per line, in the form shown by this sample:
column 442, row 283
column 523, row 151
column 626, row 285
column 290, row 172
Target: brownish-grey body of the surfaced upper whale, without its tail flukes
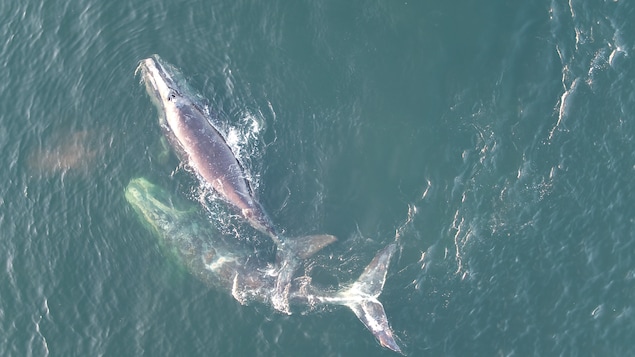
column 198, row 143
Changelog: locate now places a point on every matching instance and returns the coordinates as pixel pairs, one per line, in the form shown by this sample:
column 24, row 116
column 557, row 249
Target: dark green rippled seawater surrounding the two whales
column 494, row 141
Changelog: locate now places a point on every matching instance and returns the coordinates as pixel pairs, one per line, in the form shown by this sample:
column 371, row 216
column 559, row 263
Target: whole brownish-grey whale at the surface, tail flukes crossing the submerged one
column 202, row 147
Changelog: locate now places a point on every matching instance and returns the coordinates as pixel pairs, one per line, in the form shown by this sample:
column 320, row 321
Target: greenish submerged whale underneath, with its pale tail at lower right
column 186, row 235
